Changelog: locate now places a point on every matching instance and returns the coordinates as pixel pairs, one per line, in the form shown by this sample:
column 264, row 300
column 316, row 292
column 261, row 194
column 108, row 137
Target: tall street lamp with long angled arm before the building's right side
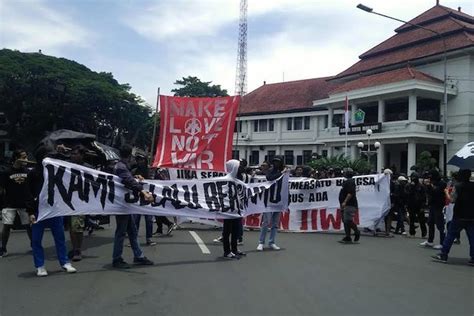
column 445, row 94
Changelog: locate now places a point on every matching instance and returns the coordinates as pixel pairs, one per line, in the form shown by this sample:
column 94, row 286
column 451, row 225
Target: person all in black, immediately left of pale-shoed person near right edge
column 416, row 199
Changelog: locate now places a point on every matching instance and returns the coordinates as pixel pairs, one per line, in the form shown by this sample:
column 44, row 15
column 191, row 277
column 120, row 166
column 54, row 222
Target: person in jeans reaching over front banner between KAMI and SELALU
column 125, row 223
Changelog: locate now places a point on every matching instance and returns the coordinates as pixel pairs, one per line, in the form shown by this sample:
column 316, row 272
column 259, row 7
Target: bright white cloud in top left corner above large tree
column 33, row 25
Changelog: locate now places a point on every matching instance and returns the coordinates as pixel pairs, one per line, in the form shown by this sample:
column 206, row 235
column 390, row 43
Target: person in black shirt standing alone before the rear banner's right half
column 348, row 201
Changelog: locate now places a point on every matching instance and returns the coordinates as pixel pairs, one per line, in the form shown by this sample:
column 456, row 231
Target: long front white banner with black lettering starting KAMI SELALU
column 71, row 189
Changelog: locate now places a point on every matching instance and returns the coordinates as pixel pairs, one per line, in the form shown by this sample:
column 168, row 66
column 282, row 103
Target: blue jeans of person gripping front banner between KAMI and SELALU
column 125, row 225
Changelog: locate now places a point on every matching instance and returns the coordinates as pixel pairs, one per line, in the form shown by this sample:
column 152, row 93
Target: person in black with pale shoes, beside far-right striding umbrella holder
column 436, row 204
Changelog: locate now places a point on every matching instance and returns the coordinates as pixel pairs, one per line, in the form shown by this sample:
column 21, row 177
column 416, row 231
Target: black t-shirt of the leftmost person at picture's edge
column 15, row 183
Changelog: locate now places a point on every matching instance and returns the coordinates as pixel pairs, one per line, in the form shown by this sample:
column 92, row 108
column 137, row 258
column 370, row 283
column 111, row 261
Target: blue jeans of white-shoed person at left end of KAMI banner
column 57, row 229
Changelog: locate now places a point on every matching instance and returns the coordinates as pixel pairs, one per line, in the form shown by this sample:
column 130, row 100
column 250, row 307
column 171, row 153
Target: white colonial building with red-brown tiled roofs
column 398, row 84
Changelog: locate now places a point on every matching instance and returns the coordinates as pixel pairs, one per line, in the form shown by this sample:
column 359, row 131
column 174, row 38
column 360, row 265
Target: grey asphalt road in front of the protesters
column 311, row 275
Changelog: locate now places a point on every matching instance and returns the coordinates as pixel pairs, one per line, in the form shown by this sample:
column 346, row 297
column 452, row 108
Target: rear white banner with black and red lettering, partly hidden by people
column 314, row 204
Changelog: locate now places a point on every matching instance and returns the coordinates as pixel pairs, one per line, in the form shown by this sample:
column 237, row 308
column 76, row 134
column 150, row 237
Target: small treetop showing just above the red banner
column 194, row 87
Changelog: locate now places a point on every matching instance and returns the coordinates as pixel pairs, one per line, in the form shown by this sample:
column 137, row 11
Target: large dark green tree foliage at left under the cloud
column 42, row 93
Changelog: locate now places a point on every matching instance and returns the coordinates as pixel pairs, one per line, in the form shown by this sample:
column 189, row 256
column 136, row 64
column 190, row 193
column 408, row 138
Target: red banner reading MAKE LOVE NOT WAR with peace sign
column 196, row 133
